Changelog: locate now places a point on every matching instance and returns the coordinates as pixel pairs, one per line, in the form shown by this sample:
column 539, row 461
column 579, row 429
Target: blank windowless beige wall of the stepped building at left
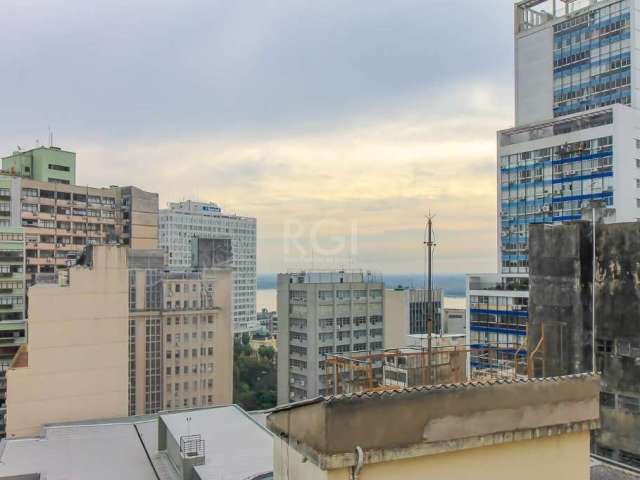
column 74, row 366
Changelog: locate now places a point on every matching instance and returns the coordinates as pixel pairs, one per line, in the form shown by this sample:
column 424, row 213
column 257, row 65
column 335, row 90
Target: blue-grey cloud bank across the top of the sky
column 164, row 69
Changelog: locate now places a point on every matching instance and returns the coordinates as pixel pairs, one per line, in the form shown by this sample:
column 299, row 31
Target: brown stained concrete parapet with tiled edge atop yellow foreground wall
column 437, row 419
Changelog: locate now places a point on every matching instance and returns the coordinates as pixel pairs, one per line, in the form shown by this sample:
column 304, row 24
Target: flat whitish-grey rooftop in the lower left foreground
column 201, row 444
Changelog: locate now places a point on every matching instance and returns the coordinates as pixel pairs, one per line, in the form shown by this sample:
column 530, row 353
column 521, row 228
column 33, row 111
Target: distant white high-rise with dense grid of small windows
column 183, row 222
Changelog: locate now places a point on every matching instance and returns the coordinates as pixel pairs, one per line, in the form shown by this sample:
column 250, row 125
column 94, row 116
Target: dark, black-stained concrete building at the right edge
column 561, row 314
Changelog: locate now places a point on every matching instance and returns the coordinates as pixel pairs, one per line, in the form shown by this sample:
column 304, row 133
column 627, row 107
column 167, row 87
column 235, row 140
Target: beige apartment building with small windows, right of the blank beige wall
column 180, row 335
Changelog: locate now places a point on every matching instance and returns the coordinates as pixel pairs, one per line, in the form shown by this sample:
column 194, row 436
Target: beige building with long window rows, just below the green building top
column 60, row 219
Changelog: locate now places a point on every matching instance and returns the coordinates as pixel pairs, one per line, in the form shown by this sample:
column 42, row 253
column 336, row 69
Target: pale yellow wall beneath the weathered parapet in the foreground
column 565, row 456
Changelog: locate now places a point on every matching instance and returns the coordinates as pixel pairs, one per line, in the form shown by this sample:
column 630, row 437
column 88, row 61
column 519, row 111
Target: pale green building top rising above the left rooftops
column 45, row 164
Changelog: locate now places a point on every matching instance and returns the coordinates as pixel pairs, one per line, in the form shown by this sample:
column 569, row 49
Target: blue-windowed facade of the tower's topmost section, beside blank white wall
column 592, row 60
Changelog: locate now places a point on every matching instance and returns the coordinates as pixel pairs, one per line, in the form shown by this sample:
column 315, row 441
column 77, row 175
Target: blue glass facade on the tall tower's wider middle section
column 549, row 185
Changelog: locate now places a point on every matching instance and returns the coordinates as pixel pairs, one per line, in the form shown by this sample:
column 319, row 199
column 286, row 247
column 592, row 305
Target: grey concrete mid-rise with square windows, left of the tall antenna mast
column 321, row 313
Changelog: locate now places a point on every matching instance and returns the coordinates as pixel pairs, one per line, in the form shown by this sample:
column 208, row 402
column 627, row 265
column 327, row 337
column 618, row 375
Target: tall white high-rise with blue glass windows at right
column 575, row 142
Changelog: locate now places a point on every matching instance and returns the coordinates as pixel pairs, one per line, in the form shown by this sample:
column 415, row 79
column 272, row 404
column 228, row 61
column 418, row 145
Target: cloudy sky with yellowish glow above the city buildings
column 337, row 124
